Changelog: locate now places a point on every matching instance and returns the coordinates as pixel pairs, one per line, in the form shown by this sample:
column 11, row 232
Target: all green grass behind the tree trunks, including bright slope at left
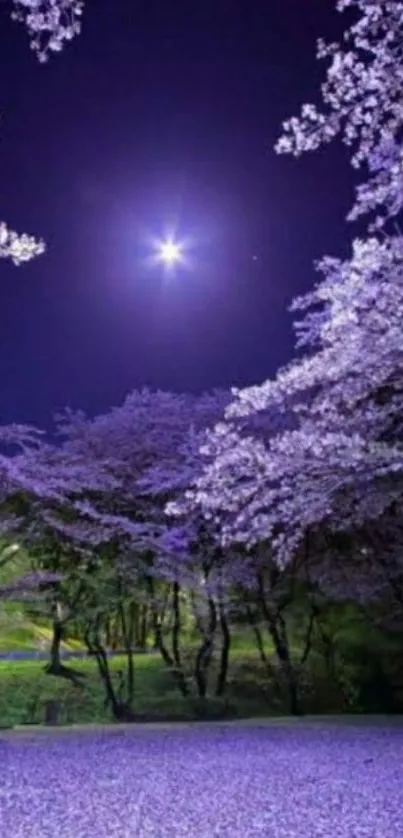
column 25, row 688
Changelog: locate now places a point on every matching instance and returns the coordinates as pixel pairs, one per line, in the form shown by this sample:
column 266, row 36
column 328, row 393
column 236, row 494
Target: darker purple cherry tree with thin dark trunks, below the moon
column 148, row 450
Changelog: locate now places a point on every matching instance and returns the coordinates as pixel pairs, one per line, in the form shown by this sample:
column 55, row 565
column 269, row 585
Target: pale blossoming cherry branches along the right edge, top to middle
column 342, row 465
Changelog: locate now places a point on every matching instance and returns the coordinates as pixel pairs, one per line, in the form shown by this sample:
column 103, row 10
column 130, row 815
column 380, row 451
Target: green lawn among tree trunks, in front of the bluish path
column 25, row 688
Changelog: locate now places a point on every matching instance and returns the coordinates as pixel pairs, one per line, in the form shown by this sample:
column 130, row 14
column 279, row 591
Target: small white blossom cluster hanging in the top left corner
column 50, row 23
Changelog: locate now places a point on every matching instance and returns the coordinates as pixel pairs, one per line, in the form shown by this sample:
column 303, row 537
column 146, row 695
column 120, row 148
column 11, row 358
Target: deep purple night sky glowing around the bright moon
column 161, row 111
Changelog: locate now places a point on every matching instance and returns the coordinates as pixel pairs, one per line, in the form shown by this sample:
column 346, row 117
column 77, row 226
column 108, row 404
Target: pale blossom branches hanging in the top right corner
column 362, row 95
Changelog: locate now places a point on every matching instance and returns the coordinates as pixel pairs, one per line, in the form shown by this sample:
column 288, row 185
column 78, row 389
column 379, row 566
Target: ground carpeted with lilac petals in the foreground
column 284, row 781
